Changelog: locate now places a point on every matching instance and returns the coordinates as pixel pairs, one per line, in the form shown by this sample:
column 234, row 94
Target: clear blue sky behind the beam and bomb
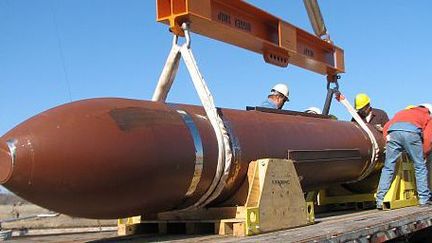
column 55, row 51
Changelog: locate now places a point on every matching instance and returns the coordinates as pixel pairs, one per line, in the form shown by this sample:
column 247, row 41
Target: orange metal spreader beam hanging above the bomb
column 241, row 24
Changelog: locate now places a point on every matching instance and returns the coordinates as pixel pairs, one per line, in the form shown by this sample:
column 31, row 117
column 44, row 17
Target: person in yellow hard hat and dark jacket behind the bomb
column 376, row 117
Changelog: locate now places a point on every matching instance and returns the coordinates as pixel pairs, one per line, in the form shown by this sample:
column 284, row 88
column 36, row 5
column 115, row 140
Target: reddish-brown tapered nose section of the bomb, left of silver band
column 100, row 158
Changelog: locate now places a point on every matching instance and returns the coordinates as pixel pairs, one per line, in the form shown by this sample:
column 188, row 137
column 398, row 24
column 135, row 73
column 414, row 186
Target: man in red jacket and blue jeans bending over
column 409, row 131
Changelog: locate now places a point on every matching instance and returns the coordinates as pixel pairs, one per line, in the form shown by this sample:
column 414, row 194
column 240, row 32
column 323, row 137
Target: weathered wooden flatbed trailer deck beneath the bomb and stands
column 343, row 226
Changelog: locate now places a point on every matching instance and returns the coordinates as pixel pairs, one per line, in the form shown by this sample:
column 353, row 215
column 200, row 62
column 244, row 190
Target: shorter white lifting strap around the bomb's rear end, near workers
column 375, row 148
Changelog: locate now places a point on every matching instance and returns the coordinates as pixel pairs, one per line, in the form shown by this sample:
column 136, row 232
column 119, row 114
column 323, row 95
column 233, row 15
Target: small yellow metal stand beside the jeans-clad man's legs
column 402, row 192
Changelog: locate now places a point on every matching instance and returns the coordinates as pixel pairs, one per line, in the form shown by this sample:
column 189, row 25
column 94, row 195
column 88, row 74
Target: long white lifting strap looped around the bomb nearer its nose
column 165, row 82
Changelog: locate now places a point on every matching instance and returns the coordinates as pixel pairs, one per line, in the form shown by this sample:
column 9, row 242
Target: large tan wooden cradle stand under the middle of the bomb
column 275, row 201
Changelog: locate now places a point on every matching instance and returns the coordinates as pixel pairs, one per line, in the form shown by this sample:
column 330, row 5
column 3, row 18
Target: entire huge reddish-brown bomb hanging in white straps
column 112, row 158
